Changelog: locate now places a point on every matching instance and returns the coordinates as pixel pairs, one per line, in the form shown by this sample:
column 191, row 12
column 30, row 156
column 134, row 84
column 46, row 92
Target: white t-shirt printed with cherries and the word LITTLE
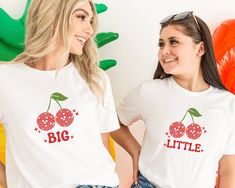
column 186, row 132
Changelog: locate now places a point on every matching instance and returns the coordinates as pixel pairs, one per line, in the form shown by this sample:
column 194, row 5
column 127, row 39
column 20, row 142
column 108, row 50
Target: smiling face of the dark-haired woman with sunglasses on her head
column 178, row 54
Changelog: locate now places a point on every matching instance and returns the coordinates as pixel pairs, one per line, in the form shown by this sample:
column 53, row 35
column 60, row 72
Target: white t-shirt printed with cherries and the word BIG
column 53, row 127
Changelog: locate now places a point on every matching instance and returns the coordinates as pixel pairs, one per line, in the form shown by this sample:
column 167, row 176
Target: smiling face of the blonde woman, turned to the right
column 81, row 28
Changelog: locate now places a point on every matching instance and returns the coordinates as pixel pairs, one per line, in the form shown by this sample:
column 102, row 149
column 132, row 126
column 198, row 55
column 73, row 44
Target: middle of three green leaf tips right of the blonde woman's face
column 105, row 37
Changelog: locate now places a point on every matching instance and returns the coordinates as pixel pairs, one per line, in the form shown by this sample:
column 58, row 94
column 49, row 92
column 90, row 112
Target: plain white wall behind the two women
column 137, row 23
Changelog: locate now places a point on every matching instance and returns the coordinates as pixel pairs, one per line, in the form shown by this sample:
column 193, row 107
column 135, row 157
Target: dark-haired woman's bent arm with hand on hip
column 125, row 139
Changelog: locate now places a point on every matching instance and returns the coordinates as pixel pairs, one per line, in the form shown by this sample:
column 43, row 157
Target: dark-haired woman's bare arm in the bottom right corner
column 227, row 171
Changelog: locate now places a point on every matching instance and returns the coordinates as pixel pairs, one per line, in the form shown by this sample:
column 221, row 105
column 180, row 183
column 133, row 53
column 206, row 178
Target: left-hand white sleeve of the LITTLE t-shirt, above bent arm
column 129, row 110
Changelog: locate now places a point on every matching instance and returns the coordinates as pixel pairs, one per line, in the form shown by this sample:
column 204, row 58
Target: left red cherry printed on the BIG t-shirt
column 46, row 121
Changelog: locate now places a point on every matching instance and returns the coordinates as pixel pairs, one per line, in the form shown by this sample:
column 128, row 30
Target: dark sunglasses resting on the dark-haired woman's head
column 180, row 16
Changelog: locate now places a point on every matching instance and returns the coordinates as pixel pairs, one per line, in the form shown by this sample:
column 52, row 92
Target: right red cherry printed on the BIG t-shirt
column 64, row 117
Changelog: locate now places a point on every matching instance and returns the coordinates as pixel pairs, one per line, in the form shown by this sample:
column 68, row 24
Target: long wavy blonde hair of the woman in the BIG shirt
column 48, row 25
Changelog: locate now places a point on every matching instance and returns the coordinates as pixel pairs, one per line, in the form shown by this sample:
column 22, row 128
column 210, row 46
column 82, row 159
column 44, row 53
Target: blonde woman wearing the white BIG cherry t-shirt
column 56, row 104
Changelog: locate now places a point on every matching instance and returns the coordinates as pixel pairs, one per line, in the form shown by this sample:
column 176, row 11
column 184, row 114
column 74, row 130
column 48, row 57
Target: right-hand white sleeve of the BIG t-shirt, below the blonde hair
column 108, row 115
